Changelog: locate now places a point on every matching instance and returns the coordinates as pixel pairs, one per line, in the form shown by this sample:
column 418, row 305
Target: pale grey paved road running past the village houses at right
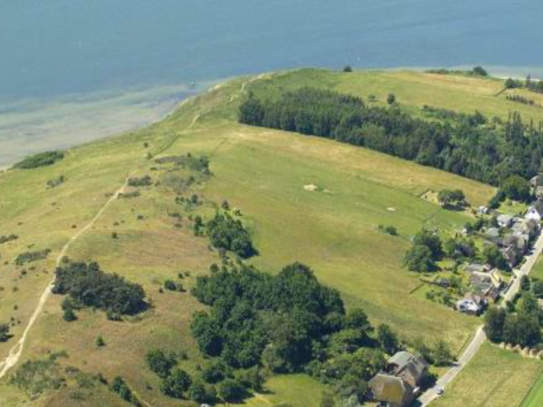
column 480, row 337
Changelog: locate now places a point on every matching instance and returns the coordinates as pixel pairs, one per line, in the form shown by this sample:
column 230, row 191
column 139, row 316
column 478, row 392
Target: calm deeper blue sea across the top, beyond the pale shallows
column 53, row 48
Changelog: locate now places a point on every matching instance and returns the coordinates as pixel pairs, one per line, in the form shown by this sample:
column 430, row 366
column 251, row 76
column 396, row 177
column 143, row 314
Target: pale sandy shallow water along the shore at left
column 66, row 123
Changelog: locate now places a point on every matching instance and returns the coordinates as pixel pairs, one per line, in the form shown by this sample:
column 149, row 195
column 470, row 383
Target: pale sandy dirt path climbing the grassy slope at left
column 16, row 351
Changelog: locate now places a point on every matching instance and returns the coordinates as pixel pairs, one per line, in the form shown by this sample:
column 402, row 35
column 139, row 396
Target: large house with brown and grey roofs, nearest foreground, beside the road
column 399, row 384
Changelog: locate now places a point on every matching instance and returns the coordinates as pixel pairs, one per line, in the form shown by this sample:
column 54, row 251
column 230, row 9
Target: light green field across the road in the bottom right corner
column 494, row 378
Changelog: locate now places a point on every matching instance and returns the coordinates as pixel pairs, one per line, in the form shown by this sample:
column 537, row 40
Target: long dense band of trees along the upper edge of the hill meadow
column 468, row 145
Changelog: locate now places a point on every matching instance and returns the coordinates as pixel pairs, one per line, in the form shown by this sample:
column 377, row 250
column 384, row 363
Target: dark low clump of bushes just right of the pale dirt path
column 87, row 285
